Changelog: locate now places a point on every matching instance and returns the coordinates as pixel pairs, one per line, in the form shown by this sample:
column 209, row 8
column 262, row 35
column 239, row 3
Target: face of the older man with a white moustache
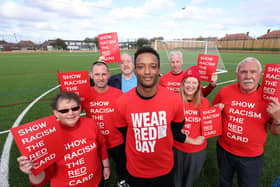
column 248, row 76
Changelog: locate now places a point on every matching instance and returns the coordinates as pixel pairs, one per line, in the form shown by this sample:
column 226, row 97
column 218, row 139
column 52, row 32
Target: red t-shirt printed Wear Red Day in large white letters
column 149, row 138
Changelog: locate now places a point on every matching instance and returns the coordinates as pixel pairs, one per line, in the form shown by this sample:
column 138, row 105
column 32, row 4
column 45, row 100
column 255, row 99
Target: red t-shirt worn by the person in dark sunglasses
column 81, row 164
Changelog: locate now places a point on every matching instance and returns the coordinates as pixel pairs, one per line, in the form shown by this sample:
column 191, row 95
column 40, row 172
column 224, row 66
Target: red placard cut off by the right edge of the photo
column 271, row 82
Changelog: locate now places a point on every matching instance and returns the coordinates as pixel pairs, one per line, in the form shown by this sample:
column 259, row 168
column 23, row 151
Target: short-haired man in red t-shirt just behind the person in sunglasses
column 101, row 107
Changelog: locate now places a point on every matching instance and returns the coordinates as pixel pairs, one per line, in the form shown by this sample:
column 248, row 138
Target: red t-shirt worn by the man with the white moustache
column 244, row 121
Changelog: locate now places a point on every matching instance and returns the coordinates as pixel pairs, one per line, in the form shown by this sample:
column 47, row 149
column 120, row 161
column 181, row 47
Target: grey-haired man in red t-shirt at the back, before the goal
column 172, row 80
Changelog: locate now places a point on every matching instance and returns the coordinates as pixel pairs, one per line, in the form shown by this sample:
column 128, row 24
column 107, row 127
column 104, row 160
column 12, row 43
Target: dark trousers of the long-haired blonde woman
column 187, row 167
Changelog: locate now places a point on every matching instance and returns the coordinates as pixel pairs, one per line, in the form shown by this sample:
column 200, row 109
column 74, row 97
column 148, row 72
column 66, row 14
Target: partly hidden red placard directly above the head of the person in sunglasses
column 77, row 82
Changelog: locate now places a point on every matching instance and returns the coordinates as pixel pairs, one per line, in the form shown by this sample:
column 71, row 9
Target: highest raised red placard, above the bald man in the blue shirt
column 109, row 47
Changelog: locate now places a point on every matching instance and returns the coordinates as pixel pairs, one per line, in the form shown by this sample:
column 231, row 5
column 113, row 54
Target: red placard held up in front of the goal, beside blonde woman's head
column 207, row 65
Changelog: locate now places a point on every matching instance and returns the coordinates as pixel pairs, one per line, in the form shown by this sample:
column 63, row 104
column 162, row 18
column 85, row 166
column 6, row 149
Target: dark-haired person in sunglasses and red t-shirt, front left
column 84, row 149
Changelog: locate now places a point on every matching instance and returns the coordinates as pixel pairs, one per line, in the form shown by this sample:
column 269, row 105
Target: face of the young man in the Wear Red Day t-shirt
column 147, row 70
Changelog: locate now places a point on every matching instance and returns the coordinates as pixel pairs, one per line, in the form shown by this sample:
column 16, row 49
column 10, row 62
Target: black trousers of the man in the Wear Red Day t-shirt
column 162, row 181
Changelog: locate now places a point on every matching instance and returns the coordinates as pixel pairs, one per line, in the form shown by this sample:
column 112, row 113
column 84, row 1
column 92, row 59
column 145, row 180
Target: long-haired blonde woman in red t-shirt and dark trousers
column 189, row 158
